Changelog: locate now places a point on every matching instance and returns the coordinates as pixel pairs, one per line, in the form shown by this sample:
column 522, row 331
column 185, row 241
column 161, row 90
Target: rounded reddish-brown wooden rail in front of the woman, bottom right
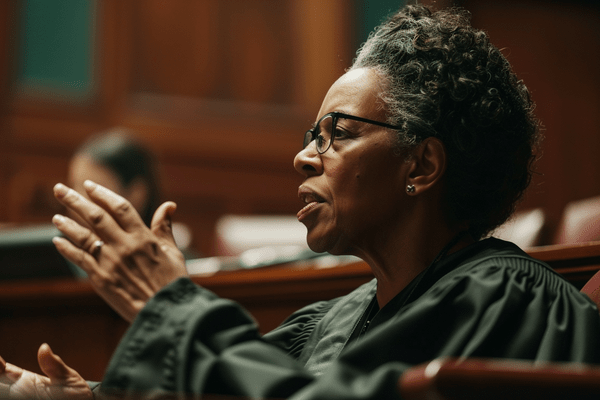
column 474, row 379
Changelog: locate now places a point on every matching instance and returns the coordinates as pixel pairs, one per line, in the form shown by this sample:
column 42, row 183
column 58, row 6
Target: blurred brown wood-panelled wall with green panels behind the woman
column 222, row 91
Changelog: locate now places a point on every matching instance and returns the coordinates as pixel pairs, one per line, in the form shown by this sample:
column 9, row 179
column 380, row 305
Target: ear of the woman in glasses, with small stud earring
column 428, row 164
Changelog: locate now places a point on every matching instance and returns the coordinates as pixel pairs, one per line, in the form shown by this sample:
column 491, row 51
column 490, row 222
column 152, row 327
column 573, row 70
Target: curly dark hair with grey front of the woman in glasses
column 444, row 79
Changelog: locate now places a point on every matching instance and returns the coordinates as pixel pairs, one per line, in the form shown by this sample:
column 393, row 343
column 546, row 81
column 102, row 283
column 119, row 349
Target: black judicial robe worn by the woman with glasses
column 488, row 300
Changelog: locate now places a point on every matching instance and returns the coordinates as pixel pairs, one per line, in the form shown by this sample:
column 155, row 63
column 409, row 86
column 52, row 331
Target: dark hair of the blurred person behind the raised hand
column 129, row 160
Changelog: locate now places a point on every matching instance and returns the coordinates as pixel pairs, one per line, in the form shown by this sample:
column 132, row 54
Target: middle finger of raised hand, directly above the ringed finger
column 95, row 216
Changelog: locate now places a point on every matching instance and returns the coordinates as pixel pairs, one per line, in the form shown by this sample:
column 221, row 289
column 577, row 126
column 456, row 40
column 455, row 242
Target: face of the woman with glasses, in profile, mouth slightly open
column 353, row 191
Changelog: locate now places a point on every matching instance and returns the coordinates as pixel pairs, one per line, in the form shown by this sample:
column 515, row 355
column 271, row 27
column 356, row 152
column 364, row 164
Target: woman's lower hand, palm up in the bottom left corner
column 60, row 382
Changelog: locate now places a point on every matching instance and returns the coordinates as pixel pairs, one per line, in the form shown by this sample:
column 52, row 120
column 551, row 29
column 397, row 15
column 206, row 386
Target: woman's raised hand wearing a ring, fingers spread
column 127, row 263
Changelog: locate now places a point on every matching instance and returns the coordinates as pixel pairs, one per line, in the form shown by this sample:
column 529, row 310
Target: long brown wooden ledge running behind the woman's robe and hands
column 80, row 327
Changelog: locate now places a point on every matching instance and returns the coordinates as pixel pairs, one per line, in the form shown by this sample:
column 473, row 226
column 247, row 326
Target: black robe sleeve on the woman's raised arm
column 188, row 340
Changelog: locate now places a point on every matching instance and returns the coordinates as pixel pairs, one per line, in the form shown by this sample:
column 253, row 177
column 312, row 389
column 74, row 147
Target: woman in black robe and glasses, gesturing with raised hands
column 417, row 153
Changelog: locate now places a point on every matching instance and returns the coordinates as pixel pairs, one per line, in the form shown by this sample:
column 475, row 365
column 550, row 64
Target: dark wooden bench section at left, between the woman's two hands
column 67, row 315
